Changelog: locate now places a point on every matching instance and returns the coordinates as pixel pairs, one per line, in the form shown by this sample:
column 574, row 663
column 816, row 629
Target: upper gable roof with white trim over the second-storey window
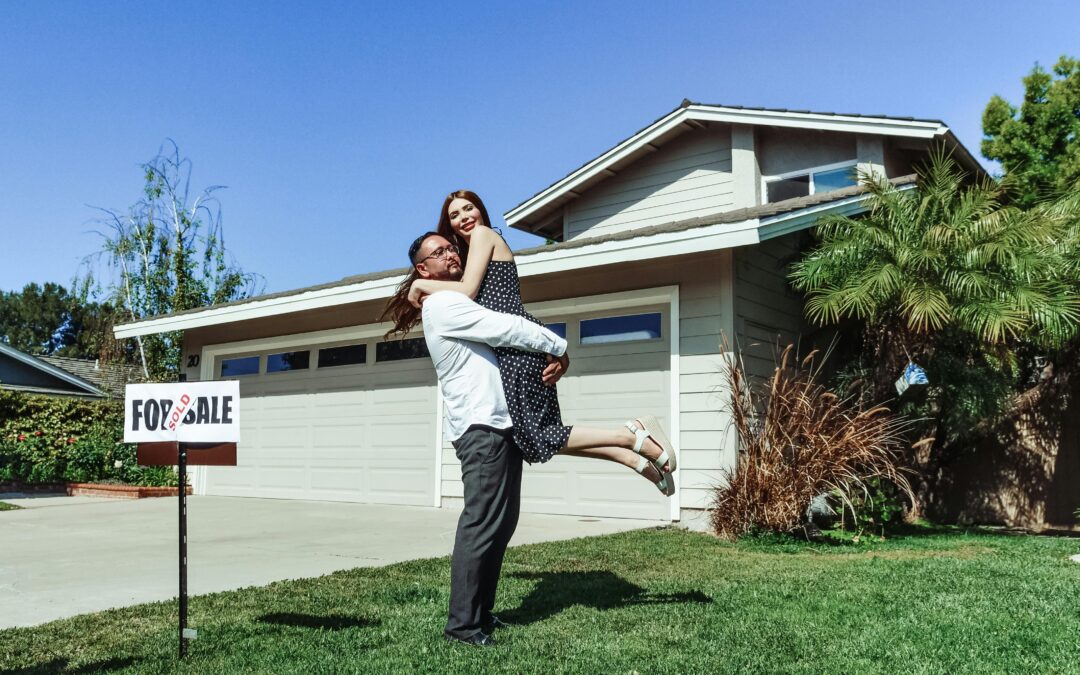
column 536, row 212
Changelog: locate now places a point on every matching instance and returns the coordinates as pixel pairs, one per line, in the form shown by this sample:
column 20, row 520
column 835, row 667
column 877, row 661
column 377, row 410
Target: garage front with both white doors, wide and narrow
column 344, row 416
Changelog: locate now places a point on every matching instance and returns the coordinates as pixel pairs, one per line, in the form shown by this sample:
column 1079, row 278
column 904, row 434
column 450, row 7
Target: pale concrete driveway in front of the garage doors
column 63, row 557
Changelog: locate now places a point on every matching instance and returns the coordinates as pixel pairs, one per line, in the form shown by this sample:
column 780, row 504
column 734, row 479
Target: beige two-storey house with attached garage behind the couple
column 669, row 249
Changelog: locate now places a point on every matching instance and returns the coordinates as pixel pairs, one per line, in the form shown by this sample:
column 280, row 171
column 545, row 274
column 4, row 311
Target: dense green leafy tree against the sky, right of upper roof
column 1039, row 143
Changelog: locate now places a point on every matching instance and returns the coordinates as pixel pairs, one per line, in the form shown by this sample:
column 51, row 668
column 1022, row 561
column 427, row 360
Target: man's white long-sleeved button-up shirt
column 461, row 335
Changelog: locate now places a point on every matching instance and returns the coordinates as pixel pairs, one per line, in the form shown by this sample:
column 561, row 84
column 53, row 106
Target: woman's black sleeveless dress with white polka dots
column 534, row 407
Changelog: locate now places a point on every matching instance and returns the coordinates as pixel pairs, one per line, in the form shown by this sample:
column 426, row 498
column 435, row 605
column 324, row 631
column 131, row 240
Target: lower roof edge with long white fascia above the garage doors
column 724, row 231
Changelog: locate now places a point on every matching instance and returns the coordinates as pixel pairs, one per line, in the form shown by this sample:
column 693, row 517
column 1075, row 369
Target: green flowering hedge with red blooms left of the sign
column 47, row 440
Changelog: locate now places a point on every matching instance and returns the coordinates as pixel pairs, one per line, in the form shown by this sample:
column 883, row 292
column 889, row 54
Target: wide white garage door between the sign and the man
column 362, row 433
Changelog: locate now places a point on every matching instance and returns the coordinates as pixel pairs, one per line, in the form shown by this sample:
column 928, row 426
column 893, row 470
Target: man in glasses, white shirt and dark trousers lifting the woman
column 461, row 335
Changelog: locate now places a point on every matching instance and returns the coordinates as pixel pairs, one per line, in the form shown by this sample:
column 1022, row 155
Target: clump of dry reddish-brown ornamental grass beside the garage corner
column 805, row 442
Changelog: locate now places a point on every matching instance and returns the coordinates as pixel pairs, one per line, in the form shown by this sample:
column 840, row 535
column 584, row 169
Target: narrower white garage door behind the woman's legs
column 617, row 372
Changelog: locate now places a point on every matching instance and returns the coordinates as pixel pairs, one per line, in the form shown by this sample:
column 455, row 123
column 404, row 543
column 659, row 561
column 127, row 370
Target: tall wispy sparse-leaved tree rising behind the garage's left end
column 167, row 254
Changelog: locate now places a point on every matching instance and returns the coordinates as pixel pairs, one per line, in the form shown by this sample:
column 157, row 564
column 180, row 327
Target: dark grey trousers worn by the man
column 492, row 474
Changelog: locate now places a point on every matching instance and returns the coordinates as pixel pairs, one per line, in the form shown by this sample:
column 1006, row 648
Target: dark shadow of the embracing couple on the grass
column 600, row 590
